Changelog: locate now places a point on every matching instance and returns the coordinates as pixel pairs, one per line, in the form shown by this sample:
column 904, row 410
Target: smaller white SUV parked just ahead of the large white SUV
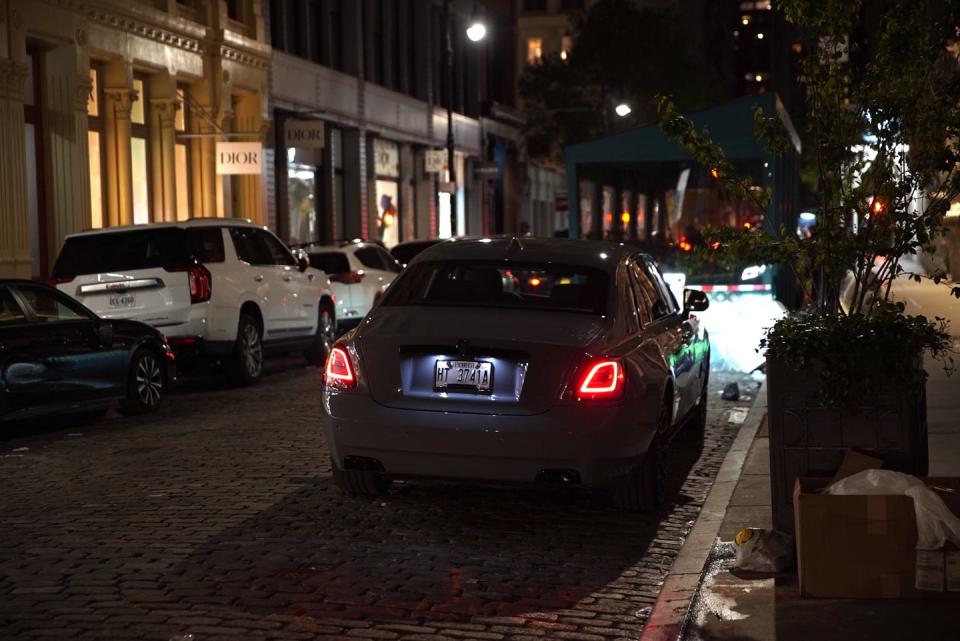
column 359, row 272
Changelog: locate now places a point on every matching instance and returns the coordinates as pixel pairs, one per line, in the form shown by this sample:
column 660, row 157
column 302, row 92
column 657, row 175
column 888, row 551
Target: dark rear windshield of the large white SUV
column 138, row 249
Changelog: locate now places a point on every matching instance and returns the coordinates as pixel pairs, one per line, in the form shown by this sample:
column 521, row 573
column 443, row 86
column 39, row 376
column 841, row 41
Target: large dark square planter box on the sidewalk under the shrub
column 808, row 440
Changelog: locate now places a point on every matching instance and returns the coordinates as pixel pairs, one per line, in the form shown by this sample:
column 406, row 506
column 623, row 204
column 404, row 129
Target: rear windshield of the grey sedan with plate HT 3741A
column 505, row 285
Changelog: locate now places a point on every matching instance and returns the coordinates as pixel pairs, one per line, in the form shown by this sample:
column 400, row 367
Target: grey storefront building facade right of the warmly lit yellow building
column 369, row 78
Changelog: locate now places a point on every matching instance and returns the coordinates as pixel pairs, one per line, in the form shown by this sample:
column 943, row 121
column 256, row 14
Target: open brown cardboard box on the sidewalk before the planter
column 865, row 546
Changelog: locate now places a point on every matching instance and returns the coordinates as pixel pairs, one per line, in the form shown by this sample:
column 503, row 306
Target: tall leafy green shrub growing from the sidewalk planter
column 883, row 120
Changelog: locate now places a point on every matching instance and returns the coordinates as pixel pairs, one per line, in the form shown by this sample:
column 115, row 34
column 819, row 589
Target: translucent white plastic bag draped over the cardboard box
column 936, row 524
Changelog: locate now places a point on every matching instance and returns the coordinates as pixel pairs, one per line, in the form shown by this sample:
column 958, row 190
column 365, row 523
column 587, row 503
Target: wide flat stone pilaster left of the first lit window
column 66, row 88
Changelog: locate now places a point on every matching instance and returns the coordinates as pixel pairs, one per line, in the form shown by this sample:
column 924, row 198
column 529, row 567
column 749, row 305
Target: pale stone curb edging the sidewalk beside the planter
column 669, row 614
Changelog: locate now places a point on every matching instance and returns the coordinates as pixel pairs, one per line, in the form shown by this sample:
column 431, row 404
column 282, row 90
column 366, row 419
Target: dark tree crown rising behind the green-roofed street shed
column 621, row 53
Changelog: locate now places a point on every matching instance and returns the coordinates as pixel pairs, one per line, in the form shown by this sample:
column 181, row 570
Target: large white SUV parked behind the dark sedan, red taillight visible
column 225, row 289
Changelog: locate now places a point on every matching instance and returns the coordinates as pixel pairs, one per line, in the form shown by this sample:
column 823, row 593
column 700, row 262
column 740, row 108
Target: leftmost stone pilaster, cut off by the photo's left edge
column 15, row 257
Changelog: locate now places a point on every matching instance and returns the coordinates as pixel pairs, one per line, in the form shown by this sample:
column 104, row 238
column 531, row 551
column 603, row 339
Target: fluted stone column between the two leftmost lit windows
column 117, row 103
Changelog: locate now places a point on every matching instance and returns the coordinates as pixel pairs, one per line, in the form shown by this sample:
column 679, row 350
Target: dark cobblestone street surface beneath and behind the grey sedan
column 217, row 518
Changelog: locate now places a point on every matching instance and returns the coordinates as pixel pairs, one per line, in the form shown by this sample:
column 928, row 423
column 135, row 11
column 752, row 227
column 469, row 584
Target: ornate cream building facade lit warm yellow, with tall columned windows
column 111, row 113
